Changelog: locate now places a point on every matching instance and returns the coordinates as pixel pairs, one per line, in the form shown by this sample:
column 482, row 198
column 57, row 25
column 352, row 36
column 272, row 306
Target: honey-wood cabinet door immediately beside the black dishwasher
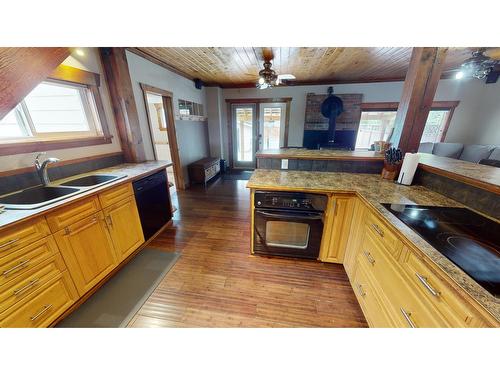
column 124, row 225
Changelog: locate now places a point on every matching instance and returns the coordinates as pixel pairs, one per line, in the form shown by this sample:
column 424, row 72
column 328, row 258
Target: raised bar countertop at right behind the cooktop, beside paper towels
column 483, row 176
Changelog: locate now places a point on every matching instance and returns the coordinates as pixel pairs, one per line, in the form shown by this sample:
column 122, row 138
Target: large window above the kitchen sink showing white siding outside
column 53, row 110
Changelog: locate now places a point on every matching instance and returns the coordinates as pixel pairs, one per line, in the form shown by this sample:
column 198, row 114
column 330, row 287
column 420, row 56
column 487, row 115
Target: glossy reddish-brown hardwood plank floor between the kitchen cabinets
column 217, row 283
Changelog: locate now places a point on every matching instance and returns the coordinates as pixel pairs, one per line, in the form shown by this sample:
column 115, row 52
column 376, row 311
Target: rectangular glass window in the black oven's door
column 287, row 234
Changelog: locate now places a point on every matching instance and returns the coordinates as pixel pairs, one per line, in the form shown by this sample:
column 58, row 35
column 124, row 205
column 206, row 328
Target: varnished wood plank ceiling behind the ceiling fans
column 239, row 66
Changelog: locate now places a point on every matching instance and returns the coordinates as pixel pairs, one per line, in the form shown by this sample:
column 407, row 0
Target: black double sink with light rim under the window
column 39, row 196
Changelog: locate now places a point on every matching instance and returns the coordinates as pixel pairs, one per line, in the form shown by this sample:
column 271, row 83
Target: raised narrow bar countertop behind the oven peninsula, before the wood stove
column 303, row 153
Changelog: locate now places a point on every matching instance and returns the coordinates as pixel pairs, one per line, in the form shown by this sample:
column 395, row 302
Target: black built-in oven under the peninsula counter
column 288, row 224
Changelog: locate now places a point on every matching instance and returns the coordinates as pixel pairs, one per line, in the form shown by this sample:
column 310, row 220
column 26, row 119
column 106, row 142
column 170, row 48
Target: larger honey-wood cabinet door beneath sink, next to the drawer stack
column 87, row 251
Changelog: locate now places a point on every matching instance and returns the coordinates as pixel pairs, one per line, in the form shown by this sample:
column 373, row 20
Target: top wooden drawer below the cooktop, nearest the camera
column 441, row 297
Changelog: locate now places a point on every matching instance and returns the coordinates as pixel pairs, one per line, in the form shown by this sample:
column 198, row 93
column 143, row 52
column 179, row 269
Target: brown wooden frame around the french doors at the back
column 255, row 101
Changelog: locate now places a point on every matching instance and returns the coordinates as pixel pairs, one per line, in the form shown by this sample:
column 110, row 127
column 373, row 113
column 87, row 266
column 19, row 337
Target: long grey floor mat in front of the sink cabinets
column 117, row 301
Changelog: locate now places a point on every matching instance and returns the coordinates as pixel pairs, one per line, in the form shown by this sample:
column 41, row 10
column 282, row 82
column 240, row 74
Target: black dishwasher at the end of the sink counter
column 153, row 202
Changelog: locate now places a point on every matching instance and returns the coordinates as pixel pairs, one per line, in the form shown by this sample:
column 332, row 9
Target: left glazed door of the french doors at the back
column 244, row 129
